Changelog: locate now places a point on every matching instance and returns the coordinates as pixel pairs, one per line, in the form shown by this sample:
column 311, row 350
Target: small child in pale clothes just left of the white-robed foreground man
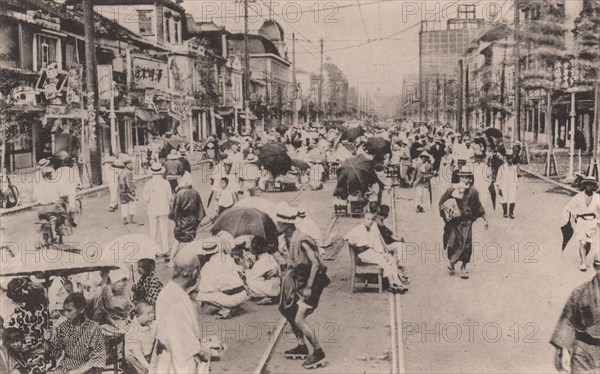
column 139, row 339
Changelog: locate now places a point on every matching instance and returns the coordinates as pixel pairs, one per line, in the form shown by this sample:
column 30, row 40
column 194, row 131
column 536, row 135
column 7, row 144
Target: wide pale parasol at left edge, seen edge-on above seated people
column 53, row 262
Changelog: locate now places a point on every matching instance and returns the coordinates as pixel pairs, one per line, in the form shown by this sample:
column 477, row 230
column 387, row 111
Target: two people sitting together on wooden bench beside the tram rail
column 378, row 244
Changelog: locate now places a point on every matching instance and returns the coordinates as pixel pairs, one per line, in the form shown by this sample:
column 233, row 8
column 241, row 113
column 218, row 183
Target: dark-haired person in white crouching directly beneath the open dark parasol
column 262, row 272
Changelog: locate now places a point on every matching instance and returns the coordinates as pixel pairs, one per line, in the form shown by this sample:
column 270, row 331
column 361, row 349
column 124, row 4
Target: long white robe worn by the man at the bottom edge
column 178, row 330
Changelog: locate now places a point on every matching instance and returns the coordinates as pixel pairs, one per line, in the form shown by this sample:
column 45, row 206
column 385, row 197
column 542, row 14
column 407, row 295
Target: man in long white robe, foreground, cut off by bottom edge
column 178, row 348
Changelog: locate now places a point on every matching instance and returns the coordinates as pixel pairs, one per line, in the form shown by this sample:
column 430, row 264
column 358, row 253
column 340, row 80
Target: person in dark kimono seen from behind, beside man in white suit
column 187, row 211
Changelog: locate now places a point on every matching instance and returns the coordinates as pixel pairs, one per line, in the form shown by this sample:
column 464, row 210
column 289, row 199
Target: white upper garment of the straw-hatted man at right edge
column 584, row 229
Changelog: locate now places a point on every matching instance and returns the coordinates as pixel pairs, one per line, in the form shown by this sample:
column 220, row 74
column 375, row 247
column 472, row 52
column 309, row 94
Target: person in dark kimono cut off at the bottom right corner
column 577, row 333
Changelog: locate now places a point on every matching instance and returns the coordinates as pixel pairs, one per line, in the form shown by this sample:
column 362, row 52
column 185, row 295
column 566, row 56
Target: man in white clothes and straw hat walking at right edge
column 583, row 210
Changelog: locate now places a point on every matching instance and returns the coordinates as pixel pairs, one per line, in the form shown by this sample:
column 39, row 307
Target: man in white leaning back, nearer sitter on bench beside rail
column 367, row 240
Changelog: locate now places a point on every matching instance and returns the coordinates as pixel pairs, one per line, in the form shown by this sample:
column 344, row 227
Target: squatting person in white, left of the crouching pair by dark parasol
column 221, row 284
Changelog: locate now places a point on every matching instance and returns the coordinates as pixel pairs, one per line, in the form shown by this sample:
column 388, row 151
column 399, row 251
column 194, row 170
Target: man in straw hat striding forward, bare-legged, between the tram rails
column 302, row 284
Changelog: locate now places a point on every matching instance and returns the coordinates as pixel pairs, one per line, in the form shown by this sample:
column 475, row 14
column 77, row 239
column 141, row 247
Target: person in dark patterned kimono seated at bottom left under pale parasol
column 78, row 342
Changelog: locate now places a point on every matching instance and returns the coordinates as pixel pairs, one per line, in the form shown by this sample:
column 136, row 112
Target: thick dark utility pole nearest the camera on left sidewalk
column 93, row 138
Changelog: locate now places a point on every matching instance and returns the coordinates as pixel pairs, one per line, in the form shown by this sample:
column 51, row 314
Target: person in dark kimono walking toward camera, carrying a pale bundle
column 459, row 216
